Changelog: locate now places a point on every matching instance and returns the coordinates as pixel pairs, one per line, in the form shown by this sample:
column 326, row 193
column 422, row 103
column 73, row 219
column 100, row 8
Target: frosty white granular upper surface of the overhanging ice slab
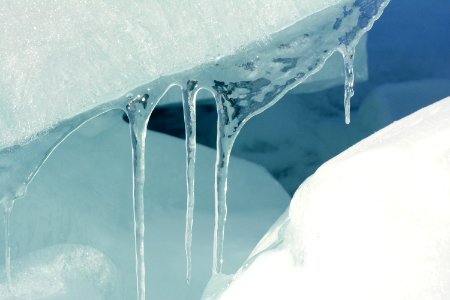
column 61, row 58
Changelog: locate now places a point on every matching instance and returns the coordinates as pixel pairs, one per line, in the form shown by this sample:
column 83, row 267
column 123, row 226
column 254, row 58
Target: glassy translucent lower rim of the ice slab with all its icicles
column 243, row 86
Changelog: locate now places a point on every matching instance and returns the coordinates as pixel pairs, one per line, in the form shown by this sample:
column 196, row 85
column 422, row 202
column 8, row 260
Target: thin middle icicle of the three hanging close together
column 189, row 95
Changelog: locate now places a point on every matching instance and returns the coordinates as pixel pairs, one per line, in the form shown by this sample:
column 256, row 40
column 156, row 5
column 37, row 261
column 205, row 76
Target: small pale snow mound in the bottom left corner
column 63, row 272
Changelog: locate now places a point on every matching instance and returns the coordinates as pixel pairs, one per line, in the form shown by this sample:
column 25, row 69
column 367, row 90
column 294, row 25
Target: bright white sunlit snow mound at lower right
column 371, row 223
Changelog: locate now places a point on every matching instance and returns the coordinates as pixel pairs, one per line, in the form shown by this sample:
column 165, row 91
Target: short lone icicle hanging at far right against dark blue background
column 348, row 53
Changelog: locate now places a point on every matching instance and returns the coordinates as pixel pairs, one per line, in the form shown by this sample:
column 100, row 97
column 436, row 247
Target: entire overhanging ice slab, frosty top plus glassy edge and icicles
column 106, row 55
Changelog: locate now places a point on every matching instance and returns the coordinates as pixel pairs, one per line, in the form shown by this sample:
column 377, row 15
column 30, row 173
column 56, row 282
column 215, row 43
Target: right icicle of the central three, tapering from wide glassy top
column 225, row 143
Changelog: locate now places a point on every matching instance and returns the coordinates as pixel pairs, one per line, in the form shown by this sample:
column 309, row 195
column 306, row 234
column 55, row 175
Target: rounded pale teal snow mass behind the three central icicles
column 82, row 196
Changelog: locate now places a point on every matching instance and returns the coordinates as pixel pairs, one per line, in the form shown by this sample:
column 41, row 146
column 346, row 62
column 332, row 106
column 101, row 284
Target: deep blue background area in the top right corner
column 412, row 42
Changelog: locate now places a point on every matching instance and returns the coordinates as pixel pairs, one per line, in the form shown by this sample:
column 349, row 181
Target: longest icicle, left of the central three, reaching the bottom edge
column 138, row 117
